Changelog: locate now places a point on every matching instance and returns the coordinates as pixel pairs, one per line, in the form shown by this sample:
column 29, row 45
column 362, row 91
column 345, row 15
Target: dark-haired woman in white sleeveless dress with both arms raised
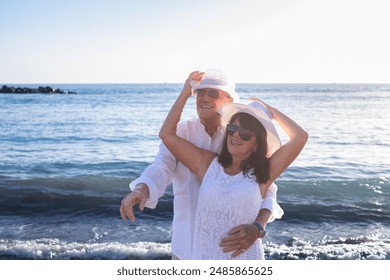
column 233, row 183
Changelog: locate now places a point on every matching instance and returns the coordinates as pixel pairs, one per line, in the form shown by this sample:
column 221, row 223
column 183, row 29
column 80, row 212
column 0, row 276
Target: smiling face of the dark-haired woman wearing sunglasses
column 240, row 141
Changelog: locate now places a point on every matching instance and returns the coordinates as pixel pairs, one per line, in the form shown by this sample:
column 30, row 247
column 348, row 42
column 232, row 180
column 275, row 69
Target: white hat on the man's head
column 216, row 79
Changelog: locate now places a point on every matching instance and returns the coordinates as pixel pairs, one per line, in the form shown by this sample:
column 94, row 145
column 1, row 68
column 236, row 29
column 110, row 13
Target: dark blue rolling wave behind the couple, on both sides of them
column 302, row 201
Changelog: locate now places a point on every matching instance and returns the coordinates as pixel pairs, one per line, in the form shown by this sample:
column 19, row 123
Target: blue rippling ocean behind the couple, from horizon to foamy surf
column 66, row 162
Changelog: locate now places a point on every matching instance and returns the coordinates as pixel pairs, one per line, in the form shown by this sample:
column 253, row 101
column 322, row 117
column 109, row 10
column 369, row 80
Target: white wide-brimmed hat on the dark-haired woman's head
column 257, row 110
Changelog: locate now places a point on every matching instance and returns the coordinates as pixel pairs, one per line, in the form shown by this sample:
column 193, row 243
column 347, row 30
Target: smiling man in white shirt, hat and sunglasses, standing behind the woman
column 212, row 90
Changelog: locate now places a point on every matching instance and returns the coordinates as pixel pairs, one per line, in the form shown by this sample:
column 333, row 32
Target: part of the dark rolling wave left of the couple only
column 84, row 195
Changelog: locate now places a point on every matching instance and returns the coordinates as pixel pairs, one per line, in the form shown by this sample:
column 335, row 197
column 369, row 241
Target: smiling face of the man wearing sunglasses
column 208, row 102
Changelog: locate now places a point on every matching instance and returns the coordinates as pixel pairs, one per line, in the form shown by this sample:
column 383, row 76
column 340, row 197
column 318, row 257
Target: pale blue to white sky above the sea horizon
column 136, row 41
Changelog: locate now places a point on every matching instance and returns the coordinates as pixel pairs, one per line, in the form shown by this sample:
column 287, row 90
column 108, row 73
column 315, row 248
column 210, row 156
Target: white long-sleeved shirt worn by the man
column 166, row 170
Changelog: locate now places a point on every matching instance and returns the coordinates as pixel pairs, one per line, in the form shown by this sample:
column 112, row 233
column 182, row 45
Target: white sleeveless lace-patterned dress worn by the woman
column 225, row 202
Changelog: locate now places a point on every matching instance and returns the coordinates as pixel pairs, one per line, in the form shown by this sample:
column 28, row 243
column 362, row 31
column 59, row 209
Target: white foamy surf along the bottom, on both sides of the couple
column 362, row 248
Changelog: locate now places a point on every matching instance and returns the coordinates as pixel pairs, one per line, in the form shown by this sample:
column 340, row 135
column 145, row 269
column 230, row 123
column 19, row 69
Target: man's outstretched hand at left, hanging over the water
column 138, row 196
